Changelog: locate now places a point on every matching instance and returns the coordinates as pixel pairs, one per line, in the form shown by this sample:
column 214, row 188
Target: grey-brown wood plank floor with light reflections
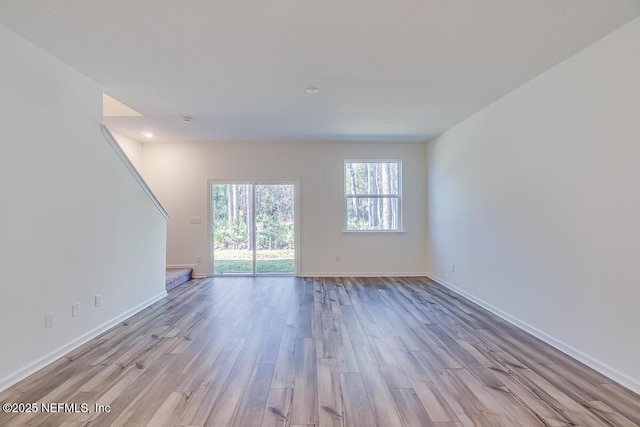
column 285, row 351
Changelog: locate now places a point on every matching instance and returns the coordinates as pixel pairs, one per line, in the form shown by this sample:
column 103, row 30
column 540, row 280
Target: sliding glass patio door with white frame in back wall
column 253, row 228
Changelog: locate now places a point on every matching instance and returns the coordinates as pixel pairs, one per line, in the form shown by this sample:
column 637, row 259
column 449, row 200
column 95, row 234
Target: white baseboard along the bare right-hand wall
column 632, row 384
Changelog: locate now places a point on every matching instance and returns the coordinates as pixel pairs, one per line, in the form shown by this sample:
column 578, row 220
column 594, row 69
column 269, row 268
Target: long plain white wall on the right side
column 536, row 201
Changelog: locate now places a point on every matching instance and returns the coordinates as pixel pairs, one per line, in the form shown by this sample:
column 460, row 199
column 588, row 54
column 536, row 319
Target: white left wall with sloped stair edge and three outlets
column 73, row 221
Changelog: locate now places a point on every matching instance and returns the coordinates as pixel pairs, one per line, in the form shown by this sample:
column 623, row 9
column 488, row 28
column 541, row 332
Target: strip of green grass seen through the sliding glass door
column 239, row 261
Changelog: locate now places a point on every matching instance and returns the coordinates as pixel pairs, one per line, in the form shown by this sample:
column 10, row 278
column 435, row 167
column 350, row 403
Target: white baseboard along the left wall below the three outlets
column 23, row 373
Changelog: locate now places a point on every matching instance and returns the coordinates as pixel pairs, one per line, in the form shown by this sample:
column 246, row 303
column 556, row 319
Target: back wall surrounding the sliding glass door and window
column 178, row 173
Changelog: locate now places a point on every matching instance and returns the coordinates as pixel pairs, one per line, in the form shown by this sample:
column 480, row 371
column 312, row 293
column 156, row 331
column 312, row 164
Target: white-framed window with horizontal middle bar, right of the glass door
column 372, row 195
